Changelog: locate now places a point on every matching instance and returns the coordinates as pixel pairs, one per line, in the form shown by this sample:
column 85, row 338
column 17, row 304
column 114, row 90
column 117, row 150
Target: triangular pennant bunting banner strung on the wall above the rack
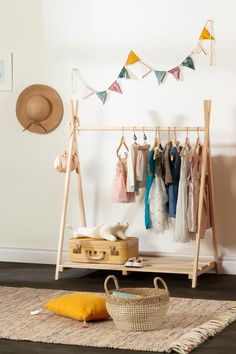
column 135, row 68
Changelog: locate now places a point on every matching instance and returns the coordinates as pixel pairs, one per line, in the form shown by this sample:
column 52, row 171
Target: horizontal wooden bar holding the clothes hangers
column 134, row 128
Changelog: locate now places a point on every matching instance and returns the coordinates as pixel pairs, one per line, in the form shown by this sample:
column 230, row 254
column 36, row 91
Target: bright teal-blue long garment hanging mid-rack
column 149, row 180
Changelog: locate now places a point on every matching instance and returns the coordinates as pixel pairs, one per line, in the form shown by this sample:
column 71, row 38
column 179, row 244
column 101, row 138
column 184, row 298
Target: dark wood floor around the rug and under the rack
column 210, row 286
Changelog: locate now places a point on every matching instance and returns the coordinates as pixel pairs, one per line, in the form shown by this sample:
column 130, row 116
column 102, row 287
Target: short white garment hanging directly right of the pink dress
column 132, row 184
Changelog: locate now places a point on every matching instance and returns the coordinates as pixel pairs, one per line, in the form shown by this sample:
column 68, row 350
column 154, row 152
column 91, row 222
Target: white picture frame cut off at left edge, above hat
column 6, row 77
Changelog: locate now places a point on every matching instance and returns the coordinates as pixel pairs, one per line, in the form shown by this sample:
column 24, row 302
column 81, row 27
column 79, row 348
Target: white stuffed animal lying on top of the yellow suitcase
column 110, row 232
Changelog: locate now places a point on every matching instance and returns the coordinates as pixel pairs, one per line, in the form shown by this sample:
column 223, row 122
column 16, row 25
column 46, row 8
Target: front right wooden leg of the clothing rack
column 207, row 112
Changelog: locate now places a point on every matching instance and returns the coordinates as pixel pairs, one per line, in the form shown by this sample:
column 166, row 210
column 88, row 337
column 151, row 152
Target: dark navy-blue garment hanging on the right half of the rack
column 175, row 163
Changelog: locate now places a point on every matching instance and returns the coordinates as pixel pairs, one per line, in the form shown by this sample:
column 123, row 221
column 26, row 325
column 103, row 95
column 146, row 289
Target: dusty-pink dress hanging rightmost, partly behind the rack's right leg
column 194, row 190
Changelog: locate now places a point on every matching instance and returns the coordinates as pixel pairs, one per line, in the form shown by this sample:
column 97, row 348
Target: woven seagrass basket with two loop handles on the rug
column 143, row 313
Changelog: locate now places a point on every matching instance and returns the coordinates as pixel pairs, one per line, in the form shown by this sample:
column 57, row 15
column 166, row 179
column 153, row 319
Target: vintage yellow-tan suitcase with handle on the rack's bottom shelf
column 102, row 251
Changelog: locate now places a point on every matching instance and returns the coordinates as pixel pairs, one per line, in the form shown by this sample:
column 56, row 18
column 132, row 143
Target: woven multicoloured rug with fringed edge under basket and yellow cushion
column 189, row 322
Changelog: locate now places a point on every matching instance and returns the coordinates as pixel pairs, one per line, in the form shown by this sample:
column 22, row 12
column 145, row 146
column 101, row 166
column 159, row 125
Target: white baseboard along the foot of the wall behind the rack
column 48, row 256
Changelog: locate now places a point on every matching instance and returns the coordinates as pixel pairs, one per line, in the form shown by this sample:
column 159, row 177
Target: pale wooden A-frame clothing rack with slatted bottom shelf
column 192, row 267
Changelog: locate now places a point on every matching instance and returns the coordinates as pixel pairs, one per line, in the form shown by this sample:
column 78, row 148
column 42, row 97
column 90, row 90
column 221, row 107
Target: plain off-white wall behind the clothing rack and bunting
column 47, row 39
